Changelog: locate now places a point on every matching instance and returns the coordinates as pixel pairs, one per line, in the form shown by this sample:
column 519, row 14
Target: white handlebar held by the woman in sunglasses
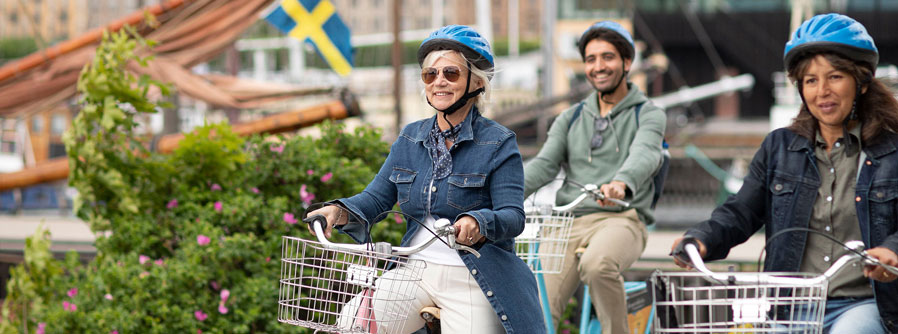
column 443, row 229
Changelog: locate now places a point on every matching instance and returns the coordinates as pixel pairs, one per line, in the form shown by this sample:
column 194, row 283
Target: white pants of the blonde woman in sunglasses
column 463, row 307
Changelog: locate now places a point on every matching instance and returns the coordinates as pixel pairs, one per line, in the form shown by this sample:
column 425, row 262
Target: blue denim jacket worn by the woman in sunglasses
column 486, row 183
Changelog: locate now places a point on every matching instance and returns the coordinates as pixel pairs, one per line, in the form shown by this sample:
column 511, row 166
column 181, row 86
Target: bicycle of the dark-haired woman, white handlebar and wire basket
column 742, row 302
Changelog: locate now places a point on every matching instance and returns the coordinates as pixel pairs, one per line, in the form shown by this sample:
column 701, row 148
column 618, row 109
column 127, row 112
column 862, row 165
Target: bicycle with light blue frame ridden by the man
column 542, row 246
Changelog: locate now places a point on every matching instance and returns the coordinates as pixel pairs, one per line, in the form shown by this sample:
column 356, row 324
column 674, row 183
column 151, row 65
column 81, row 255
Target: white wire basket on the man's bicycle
column 543, row 243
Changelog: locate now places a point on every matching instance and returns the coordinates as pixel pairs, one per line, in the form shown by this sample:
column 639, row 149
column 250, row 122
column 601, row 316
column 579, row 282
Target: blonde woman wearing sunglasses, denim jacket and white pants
column 464, row 167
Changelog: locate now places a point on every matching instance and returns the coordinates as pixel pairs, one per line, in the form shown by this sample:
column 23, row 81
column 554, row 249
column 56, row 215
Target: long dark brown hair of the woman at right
column 877, row 109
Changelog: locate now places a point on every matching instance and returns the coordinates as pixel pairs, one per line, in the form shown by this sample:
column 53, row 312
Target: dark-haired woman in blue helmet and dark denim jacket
column 833, row 173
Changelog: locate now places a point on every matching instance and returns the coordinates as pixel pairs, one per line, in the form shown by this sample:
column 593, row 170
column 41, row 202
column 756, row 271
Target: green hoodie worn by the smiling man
column 629, row 153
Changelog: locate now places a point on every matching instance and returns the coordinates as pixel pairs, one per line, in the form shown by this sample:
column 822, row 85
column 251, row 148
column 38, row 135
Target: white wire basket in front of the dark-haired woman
column 689, row 302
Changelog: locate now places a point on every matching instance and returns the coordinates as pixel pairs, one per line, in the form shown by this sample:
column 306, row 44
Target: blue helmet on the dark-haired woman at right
column 831, row 33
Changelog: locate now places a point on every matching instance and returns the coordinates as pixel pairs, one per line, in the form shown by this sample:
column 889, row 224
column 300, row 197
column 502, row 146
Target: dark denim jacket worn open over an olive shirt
column 779, row 193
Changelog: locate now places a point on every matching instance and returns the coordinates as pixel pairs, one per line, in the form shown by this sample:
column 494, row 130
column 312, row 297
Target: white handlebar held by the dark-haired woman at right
column 692, row 256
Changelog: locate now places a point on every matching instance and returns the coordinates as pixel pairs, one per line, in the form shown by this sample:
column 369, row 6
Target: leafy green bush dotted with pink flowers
column 187, row 242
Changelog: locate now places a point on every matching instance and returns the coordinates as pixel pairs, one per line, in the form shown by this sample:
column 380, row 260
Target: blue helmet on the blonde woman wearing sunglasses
column 462, row 39
